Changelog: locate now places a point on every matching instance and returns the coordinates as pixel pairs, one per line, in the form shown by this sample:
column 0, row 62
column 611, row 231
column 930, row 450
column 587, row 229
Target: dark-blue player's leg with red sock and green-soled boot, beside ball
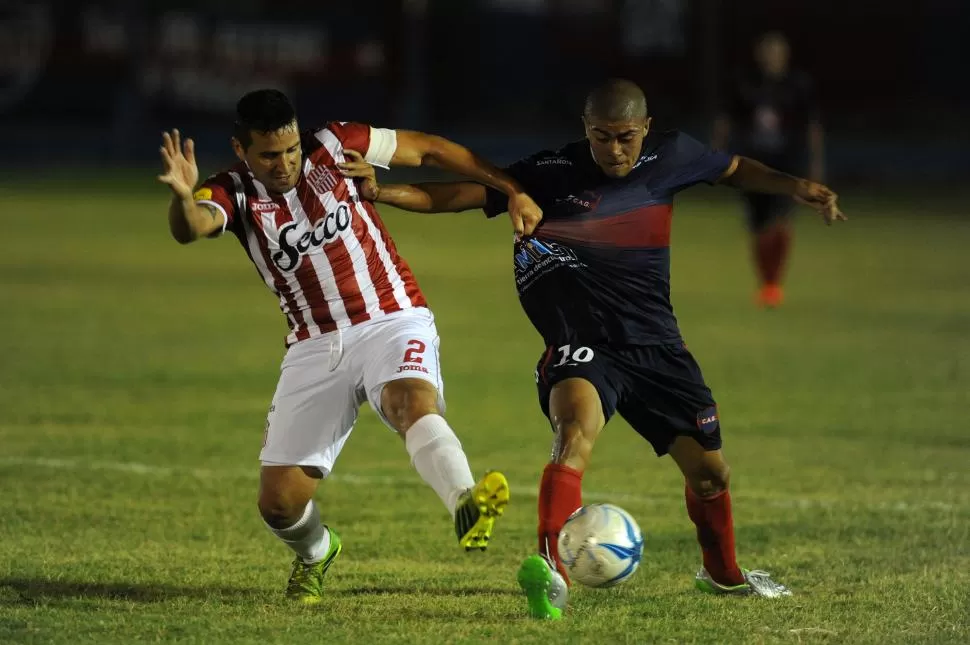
column 577, row 417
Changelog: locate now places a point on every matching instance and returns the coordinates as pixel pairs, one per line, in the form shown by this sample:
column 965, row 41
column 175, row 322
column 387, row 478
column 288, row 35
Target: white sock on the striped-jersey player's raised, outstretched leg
column 437, row 456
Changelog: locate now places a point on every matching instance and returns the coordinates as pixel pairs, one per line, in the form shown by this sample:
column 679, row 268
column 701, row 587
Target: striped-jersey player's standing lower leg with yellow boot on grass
column 287, row 506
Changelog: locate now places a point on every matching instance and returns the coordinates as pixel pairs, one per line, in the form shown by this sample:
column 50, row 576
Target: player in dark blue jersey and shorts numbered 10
column 594, row 278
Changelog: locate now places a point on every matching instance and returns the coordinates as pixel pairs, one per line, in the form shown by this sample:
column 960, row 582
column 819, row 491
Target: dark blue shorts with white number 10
column 658, row 389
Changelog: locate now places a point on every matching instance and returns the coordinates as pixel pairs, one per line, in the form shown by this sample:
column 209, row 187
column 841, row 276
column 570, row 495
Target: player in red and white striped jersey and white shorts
column 360, row 329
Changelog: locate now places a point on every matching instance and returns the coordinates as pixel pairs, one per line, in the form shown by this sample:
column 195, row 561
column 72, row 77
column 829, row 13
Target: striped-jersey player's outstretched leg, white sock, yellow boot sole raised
column 411, row 406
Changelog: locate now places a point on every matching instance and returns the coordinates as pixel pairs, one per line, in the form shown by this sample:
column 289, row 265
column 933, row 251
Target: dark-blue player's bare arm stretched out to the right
column 753, row 176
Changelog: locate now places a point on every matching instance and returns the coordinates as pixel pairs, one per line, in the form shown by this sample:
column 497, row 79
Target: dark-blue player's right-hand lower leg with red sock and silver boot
column 707, row 475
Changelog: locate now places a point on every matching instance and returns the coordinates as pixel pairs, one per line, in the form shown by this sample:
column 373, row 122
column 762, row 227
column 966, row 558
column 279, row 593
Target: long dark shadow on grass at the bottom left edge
column 35, row 591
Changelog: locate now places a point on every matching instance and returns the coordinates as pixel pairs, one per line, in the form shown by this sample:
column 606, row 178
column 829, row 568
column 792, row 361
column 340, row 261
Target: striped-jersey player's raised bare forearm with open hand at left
column 187, row 220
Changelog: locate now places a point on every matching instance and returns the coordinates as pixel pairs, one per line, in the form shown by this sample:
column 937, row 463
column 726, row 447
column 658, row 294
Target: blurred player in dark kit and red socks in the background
column 771, row 114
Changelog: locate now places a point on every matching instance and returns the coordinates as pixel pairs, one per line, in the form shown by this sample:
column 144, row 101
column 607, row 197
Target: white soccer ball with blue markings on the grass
column 600, row 545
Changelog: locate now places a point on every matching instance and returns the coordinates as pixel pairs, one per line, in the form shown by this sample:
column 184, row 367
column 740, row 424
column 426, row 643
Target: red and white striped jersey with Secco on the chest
column 320, row 247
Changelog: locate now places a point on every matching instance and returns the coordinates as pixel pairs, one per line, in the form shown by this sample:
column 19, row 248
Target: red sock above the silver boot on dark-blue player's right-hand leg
column 715, row 533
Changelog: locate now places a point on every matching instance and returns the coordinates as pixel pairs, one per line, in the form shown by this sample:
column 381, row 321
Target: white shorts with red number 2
column 325, row 380
